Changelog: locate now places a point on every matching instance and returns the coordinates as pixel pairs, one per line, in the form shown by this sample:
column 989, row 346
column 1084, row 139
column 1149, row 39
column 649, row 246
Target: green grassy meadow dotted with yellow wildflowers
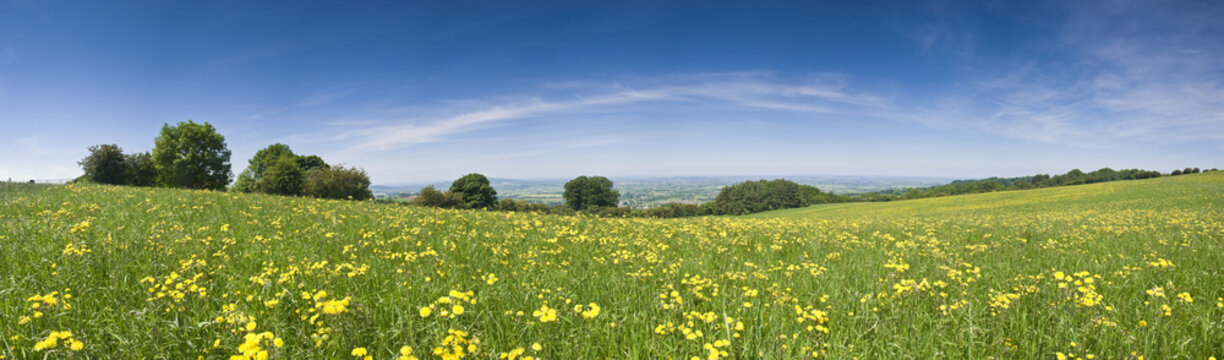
column 1127, row 270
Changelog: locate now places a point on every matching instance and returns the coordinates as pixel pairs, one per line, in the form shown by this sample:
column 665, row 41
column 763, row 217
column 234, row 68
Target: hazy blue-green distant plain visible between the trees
column 646, row 193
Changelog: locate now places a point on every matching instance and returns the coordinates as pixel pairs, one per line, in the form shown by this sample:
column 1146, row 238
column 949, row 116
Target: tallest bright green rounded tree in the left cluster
column 192, row 156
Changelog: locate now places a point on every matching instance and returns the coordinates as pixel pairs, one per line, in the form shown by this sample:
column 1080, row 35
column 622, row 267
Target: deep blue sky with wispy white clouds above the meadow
column 431, row 91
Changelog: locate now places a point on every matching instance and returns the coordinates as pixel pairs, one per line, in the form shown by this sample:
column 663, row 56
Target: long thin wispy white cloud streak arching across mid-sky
column 826, row 95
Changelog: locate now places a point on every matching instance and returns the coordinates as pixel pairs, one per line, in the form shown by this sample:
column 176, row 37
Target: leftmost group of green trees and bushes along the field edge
column 195, row 156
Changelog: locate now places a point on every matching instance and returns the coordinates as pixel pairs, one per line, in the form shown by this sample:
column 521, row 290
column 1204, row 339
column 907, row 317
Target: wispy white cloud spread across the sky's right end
column 1111, row 75
